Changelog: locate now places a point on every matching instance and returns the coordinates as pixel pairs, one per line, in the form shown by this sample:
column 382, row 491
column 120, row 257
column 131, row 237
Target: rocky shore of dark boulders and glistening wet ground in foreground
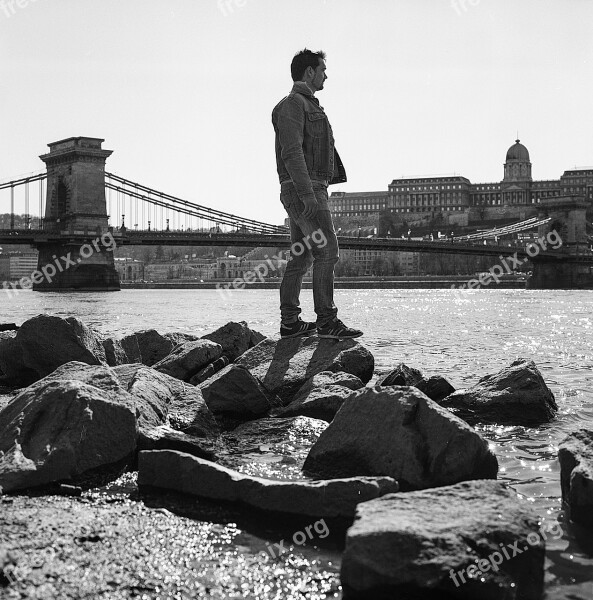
column 237, row 466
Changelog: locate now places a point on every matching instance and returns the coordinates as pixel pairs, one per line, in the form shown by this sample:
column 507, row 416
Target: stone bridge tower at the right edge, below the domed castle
column 569, row 221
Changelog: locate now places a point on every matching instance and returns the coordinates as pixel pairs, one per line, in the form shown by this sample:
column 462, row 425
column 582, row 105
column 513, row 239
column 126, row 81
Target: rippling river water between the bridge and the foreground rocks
column 459, row 334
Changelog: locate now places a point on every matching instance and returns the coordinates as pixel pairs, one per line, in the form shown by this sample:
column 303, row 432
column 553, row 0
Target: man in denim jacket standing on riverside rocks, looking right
column 307, row 163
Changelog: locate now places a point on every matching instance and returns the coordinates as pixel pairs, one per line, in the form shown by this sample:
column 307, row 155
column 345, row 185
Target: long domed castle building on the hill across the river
column 454, row 193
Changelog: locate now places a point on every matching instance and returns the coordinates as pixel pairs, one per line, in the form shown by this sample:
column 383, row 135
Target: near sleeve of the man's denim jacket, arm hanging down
column 291, row 125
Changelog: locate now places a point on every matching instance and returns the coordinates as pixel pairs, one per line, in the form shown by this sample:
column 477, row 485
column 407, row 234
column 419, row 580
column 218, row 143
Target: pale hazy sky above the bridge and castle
column 182, row 90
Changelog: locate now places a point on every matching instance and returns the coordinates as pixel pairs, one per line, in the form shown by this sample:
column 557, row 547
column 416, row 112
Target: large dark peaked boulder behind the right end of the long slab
column 398, row 431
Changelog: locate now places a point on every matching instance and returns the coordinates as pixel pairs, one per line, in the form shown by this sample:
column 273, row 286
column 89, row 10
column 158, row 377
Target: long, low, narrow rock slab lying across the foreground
column 191, row 475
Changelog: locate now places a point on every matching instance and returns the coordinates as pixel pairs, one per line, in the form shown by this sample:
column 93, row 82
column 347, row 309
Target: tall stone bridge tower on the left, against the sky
column 76, row 237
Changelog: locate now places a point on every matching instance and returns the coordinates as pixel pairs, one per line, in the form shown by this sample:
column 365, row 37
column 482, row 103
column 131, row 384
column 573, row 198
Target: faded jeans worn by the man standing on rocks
column 313, row 241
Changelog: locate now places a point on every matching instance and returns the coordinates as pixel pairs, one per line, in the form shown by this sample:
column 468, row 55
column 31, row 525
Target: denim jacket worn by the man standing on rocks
column 304, row 142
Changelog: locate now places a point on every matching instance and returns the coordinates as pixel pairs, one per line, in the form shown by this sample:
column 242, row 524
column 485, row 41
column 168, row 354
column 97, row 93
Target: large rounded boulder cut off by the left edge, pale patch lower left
column 57, row 430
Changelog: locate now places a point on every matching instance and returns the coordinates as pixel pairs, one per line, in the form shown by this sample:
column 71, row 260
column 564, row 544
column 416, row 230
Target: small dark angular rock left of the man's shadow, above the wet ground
column 236, row 391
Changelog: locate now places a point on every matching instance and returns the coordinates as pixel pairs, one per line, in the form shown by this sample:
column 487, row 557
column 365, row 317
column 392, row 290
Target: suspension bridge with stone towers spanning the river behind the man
column 76, row 201
